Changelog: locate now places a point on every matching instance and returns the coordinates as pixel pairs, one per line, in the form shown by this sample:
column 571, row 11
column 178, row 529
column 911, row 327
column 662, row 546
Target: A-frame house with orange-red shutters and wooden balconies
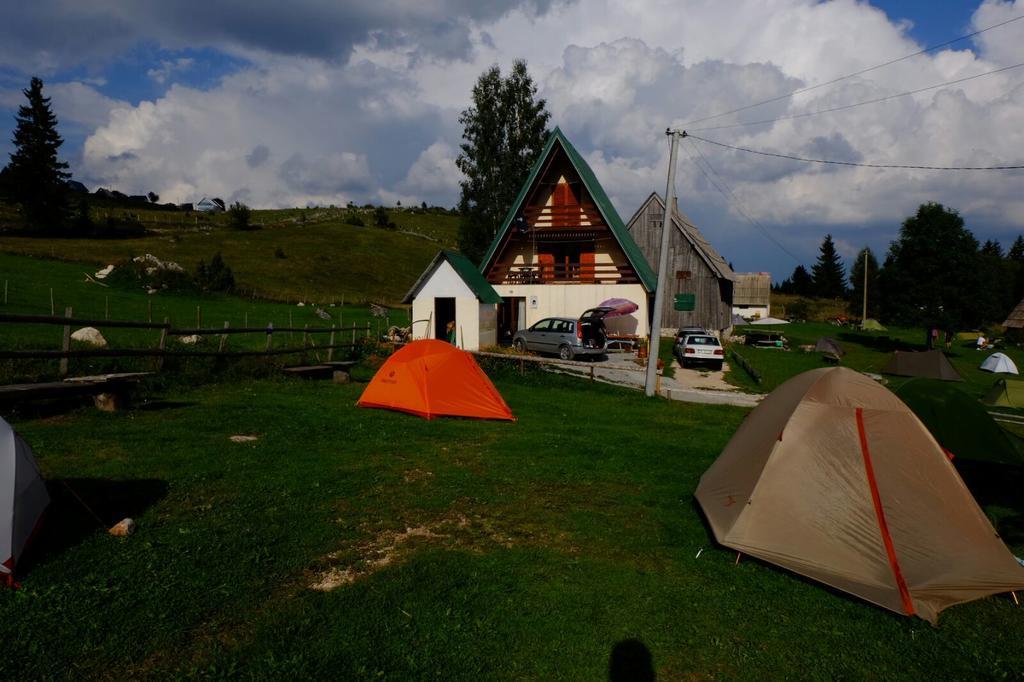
column 563, row 249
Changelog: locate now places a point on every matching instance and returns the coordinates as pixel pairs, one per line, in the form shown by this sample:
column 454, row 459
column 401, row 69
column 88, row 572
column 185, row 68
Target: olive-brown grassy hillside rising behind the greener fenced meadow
column 296, row 254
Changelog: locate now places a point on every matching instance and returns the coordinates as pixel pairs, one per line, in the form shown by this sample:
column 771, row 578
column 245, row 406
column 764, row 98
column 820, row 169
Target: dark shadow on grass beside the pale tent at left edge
column 75, row 506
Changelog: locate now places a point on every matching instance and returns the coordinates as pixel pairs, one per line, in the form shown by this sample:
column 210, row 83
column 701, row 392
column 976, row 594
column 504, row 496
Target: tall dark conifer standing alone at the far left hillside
column 37, row 178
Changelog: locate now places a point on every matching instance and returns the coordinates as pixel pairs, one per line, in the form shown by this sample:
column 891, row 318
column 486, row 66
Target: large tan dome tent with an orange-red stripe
column 833, row 478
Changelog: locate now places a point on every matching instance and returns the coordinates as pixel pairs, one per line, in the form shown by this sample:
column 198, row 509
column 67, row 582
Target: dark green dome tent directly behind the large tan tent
column 961, row 424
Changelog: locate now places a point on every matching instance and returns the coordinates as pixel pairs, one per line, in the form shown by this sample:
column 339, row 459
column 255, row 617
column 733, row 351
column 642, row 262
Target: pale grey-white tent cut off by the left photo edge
column 23, row 498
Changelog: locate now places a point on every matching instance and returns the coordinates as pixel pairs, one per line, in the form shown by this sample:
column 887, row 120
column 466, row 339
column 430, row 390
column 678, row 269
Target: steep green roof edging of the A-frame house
column 630, row 248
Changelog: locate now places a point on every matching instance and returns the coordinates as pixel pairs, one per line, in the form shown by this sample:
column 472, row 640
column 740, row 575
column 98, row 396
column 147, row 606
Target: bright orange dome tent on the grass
column 433, row 378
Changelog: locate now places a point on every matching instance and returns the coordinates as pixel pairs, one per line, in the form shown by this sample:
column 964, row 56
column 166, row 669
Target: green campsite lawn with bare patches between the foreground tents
column 456, row 549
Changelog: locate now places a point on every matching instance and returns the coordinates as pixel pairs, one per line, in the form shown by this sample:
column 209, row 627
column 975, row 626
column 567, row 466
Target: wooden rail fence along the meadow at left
column 166, row 330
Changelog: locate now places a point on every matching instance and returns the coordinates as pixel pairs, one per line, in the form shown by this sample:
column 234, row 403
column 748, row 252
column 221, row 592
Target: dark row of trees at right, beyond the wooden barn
column 935, row 274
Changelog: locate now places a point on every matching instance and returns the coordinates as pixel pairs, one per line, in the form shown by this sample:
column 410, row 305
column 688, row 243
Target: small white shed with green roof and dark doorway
column 453, row 292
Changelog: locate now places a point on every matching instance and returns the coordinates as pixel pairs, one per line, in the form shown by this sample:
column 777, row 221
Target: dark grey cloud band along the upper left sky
column 49, row 35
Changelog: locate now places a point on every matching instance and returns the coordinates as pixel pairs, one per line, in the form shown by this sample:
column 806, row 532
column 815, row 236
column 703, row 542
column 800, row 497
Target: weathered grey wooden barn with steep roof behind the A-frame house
column 696, row 269
